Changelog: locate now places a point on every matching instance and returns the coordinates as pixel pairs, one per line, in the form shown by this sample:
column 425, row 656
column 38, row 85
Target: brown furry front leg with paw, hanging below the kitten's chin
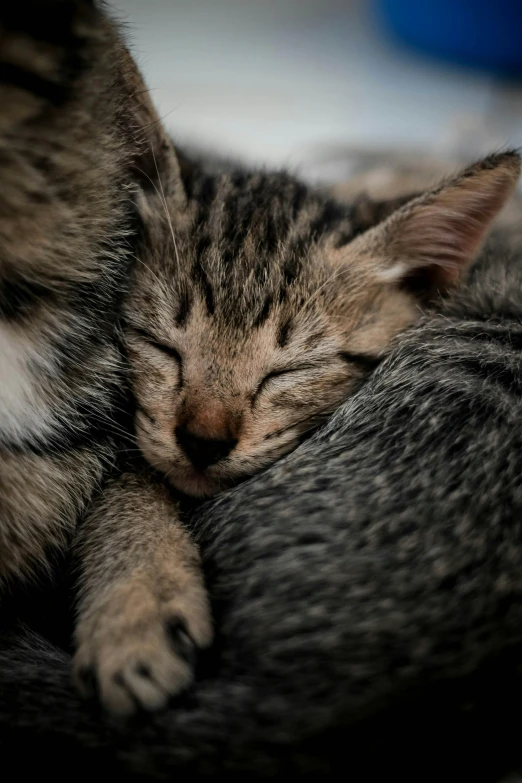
column 143, row 611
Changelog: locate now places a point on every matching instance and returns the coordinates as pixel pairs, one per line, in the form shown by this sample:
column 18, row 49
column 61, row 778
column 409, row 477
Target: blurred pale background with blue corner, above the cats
column 318, row 84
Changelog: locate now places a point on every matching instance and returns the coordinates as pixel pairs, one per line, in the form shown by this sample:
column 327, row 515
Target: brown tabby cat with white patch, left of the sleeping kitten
column 76, row 125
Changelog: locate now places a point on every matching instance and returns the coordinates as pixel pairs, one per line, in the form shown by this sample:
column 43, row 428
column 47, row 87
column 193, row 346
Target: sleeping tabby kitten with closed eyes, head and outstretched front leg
column 256, row 307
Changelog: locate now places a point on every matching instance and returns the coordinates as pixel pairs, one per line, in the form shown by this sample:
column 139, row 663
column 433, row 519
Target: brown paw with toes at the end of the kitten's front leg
column 137, row 650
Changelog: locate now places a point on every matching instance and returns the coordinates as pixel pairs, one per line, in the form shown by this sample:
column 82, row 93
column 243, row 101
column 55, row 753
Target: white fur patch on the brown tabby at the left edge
column 25, row 412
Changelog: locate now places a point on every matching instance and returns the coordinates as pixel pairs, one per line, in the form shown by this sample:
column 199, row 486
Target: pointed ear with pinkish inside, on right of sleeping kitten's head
column 428, row 244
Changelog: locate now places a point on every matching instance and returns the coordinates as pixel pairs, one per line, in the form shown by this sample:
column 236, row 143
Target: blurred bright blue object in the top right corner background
column 482, row 33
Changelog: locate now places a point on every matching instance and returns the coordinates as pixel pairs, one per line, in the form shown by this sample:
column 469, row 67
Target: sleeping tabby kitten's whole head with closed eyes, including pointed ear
column 257, row 307
